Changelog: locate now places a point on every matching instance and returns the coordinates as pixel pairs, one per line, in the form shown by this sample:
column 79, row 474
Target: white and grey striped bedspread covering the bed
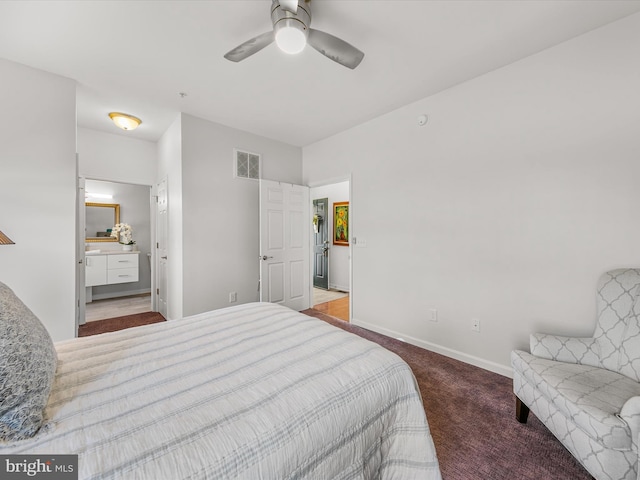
column 256, row 391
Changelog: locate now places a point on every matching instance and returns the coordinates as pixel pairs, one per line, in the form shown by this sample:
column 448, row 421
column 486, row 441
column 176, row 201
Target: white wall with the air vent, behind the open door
column 220, row 212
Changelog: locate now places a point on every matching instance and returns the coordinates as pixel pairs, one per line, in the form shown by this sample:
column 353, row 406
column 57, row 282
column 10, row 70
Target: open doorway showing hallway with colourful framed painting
column 330, row 260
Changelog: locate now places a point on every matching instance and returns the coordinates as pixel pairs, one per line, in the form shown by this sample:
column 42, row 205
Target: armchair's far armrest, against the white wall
column 584, row 351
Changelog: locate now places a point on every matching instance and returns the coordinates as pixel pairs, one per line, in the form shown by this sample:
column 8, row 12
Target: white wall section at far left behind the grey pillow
column 38, row 193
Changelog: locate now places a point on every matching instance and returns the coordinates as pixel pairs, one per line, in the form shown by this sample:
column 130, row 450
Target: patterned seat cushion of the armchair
column 592, row 397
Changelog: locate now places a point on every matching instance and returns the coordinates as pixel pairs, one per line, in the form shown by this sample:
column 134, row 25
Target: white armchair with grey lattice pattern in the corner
column 587, row 390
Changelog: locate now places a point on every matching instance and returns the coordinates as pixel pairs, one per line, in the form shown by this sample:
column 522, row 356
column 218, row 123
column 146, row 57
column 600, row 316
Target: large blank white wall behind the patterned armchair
column 519, row 192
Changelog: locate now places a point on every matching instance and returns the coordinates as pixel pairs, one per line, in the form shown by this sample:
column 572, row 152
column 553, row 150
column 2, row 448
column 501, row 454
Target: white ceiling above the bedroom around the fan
column 137, row 56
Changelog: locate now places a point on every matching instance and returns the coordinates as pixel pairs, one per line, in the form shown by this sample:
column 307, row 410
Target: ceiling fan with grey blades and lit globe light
column 291, row 32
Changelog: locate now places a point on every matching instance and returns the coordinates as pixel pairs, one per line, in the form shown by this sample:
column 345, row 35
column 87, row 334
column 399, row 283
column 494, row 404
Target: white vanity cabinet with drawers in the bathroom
column 111, row 268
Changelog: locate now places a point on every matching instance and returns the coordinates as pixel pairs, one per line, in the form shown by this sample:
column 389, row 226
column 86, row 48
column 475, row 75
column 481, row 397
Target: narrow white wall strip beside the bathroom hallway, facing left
column 170, row 168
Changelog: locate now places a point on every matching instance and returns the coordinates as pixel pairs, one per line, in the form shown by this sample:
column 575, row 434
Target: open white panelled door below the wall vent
column 284, row 244
